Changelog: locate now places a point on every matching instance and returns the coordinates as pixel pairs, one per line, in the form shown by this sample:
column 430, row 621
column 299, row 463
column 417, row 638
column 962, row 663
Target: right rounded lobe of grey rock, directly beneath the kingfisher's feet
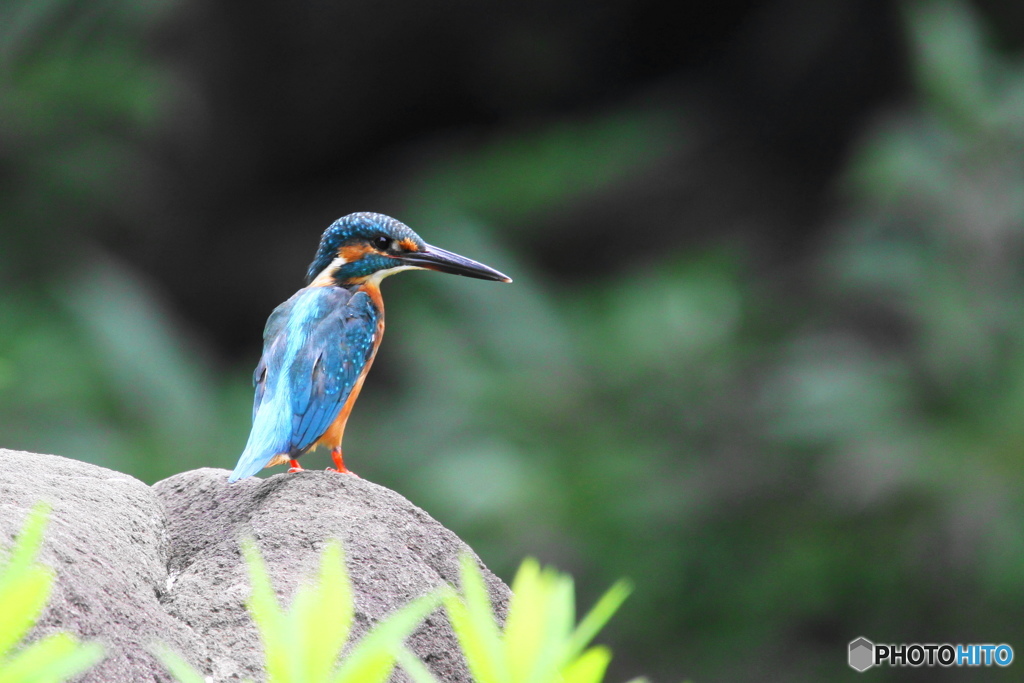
column 395, row 552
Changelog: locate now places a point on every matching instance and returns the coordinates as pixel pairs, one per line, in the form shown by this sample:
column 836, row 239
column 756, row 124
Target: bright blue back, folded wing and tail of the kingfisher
column 317, row 346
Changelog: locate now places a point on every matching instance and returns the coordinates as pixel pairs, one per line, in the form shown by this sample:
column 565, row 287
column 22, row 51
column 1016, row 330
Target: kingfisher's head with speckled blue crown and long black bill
column 368, row 247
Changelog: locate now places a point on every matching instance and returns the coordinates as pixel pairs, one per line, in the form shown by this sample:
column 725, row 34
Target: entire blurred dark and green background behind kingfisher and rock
column 764, row 354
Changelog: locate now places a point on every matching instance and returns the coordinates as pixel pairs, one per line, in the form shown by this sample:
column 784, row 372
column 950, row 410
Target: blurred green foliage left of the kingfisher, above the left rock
column 91, row 363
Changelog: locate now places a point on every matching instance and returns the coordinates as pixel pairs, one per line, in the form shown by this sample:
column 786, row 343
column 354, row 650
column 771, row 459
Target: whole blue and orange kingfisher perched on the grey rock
column 319, row 346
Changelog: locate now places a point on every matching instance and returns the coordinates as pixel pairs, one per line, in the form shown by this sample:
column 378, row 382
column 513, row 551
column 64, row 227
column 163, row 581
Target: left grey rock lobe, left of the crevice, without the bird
column 108, row 542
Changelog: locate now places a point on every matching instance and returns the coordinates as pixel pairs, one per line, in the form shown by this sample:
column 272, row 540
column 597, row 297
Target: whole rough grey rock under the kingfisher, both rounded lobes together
column 137, row 565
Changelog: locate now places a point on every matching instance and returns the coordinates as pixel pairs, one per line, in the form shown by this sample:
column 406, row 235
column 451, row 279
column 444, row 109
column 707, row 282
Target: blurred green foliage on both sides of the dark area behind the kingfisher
column 781, row 468
